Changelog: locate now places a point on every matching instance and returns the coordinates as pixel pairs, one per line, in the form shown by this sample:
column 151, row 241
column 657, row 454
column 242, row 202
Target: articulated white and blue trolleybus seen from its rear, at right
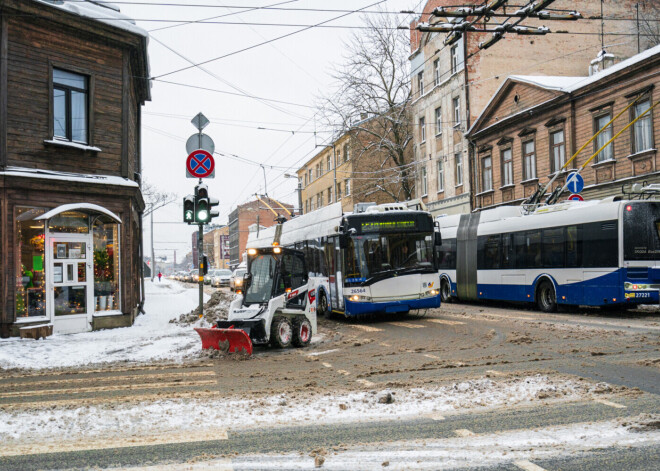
column 593, row 253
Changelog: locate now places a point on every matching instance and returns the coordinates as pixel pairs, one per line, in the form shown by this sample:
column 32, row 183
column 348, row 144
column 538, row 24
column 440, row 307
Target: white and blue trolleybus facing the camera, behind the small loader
column 377, row 261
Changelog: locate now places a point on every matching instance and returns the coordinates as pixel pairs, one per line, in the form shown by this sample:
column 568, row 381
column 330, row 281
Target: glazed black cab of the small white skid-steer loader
column 272, row 272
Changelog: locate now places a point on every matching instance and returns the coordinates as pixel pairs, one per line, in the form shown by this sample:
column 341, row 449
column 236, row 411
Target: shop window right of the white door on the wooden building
column 106, row 266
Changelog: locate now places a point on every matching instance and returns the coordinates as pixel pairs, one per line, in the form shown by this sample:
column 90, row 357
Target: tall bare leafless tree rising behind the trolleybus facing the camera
column 372, row 103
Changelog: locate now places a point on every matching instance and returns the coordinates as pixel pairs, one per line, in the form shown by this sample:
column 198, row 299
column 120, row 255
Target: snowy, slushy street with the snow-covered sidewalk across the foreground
column 464, row 386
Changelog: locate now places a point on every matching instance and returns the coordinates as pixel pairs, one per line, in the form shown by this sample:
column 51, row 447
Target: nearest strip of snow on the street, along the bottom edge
column 479, row 450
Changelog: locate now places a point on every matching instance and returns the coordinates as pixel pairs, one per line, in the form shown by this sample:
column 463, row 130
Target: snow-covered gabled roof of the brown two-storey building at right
column 560, row 84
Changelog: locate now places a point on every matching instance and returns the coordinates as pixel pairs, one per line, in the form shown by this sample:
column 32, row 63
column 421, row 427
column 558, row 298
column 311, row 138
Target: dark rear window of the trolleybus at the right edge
column 641, row 231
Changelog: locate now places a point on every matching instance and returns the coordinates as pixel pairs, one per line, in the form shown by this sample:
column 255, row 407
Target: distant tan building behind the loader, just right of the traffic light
column 245, row 215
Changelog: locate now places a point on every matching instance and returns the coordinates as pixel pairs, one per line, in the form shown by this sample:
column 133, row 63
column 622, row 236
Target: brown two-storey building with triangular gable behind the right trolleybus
column 534, row 124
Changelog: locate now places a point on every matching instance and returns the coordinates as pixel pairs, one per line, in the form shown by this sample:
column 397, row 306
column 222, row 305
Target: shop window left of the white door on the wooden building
column 30, row 274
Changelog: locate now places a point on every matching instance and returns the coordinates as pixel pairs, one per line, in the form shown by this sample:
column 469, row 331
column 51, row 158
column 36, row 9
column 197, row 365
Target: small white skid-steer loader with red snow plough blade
column 276, row 306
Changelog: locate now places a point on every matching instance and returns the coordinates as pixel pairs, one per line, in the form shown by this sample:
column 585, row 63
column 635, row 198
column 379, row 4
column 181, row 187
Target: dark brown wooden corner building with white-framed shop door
column 73, row 77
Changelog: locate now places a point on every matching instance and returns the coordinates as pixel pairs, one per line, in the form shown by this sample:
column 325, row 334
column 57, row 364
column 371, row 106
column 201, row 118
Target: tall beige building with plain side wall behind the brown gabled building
column 449, row 92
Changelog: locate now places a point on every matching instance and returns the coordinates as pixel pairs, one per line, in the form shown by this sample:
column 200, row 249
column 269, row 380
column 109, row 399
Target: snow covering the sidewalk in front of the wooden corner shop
column 151, row 338
